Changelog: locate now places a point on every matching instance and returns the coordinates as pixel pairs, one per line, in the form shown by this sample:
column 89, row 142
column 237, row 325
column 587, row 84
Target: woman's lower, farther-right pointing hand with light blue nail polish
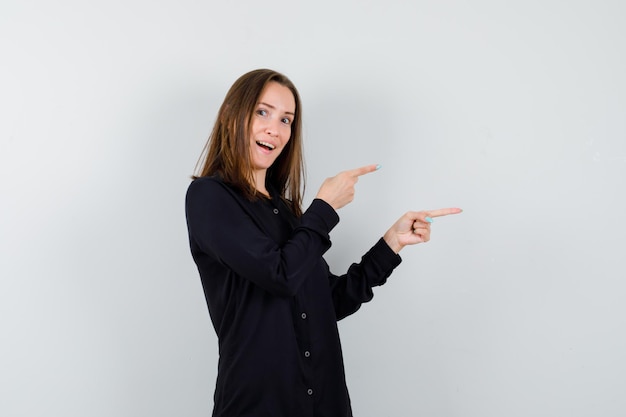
column 414, row 228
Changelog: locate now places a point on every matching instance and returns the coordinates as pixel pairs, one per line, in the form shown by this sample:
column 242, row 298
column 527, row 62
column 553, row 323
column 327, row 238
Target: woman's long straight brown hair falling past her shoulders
column 227, row 152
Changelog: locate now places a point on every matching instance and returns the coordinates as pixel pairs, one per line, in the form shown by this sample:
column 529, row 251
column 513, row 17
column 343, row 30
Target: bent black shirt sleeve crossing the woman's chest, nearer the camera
column 221, row 225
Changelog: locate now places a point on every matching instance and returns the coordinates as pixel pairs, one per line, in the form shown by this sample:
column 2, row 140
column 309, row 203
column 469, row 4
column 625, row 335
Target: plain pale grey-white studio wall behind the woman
column 514, row 111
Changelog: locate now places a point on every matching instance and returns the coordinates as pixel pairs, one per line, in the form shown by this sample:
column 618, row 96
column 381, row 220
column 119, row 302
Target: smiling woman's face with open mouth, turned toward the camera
column 271, row 125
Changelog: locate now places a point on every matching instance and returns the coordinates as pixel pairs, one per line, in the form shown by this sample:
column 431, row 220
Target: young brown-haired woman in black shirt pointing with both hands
column 273, row 301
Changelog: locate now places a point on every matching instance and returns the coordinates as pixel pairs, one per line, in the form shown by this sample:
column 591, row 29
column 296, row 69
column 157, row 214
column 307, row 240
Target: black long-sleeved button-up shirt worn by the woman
column 274, row 303
